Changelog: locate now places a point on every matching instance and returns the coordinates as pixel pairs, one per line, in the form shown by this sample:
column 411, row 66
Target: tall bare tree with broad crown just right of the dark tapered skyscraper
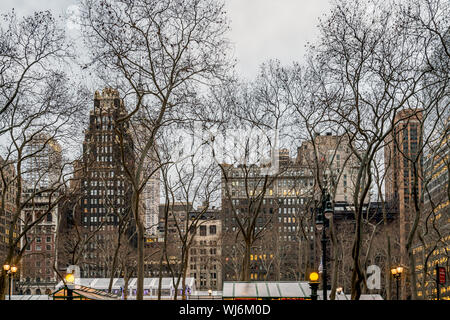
column 161, row 52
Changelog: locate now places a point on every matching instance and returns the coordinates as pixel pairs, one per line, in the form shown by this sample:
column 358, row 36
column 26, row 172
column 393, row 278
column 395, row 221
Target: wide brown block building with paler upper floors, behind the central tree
column 278, row 207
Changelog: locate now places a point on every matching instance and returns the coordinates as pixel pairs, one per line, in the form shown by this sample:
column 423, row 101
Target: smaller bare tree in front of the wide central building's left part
column 258, row 112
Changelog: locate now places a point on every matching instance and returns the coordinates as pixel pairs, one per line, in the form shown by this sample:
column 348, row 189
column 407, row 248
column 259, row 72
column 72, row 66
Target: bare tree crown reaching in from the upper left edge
column 30, row 51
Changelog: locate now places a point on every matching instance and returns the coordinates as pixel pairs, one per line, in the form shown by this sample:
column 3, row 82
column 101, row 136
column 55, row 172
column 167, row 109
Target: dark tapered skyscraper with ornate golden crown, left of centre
column 105, row 191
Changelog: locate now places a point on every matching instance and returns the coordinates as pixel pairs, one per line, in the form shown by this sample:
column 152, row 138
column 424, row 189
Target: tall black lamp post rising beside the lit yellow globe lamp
column 325, row 213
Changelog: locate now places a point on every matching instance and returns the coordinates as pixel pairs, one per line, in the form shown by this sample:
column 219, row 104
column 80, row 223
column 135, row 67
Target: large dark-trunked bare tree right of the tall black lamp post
column 360, row 62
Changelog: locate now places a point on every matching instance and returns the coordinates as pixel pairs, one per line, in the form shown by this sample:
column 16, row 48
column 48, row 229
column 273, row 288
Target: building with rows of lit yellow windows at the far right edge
column 433, row 248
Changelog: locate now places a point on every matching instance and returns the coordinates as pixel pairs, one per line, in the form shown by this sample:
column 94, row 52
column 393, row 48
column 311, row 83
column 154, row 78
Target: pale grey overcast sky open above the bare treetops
column 261, row 29
